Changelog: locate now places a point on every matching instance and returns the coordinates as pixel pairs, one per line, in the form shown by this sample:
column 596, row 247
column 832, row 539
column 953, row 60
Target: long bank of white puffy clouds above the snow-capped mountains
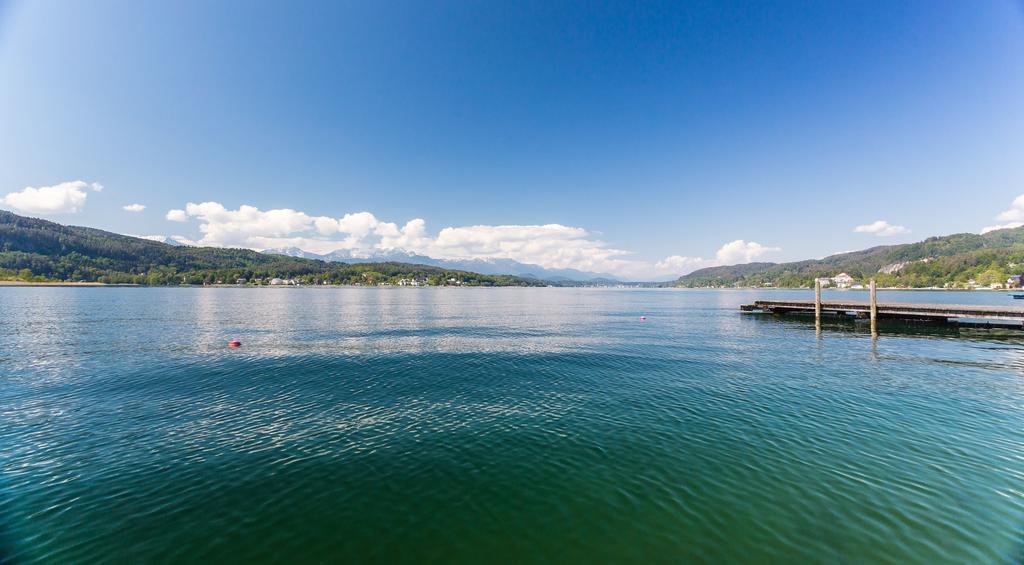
column 362, row 235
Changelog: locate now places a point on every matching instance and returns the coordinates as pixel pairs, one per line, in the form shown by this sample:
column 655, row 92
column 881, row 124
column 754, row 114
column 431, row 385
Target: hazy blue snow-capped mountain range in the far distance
column 484, row 267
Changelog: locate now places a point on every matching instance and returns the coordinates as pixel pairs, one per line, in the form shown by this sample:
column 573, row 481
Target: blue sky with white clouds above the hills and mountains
column 642, row 140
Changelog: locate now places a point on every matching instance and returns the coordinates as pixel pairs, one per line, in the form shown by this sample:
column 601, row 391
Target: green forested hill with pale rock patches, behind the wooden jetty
column 950, row 260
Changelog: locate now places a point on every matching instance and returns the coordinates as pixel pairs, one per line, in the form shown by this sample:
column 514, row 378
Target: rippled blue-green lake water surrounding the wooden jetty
column 499, row 425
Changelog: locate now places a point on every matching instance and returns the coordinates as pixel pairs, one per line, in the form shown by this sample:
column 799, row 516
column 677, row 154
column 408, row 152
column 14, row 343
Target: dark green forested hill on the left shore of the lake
column 39, row 250
